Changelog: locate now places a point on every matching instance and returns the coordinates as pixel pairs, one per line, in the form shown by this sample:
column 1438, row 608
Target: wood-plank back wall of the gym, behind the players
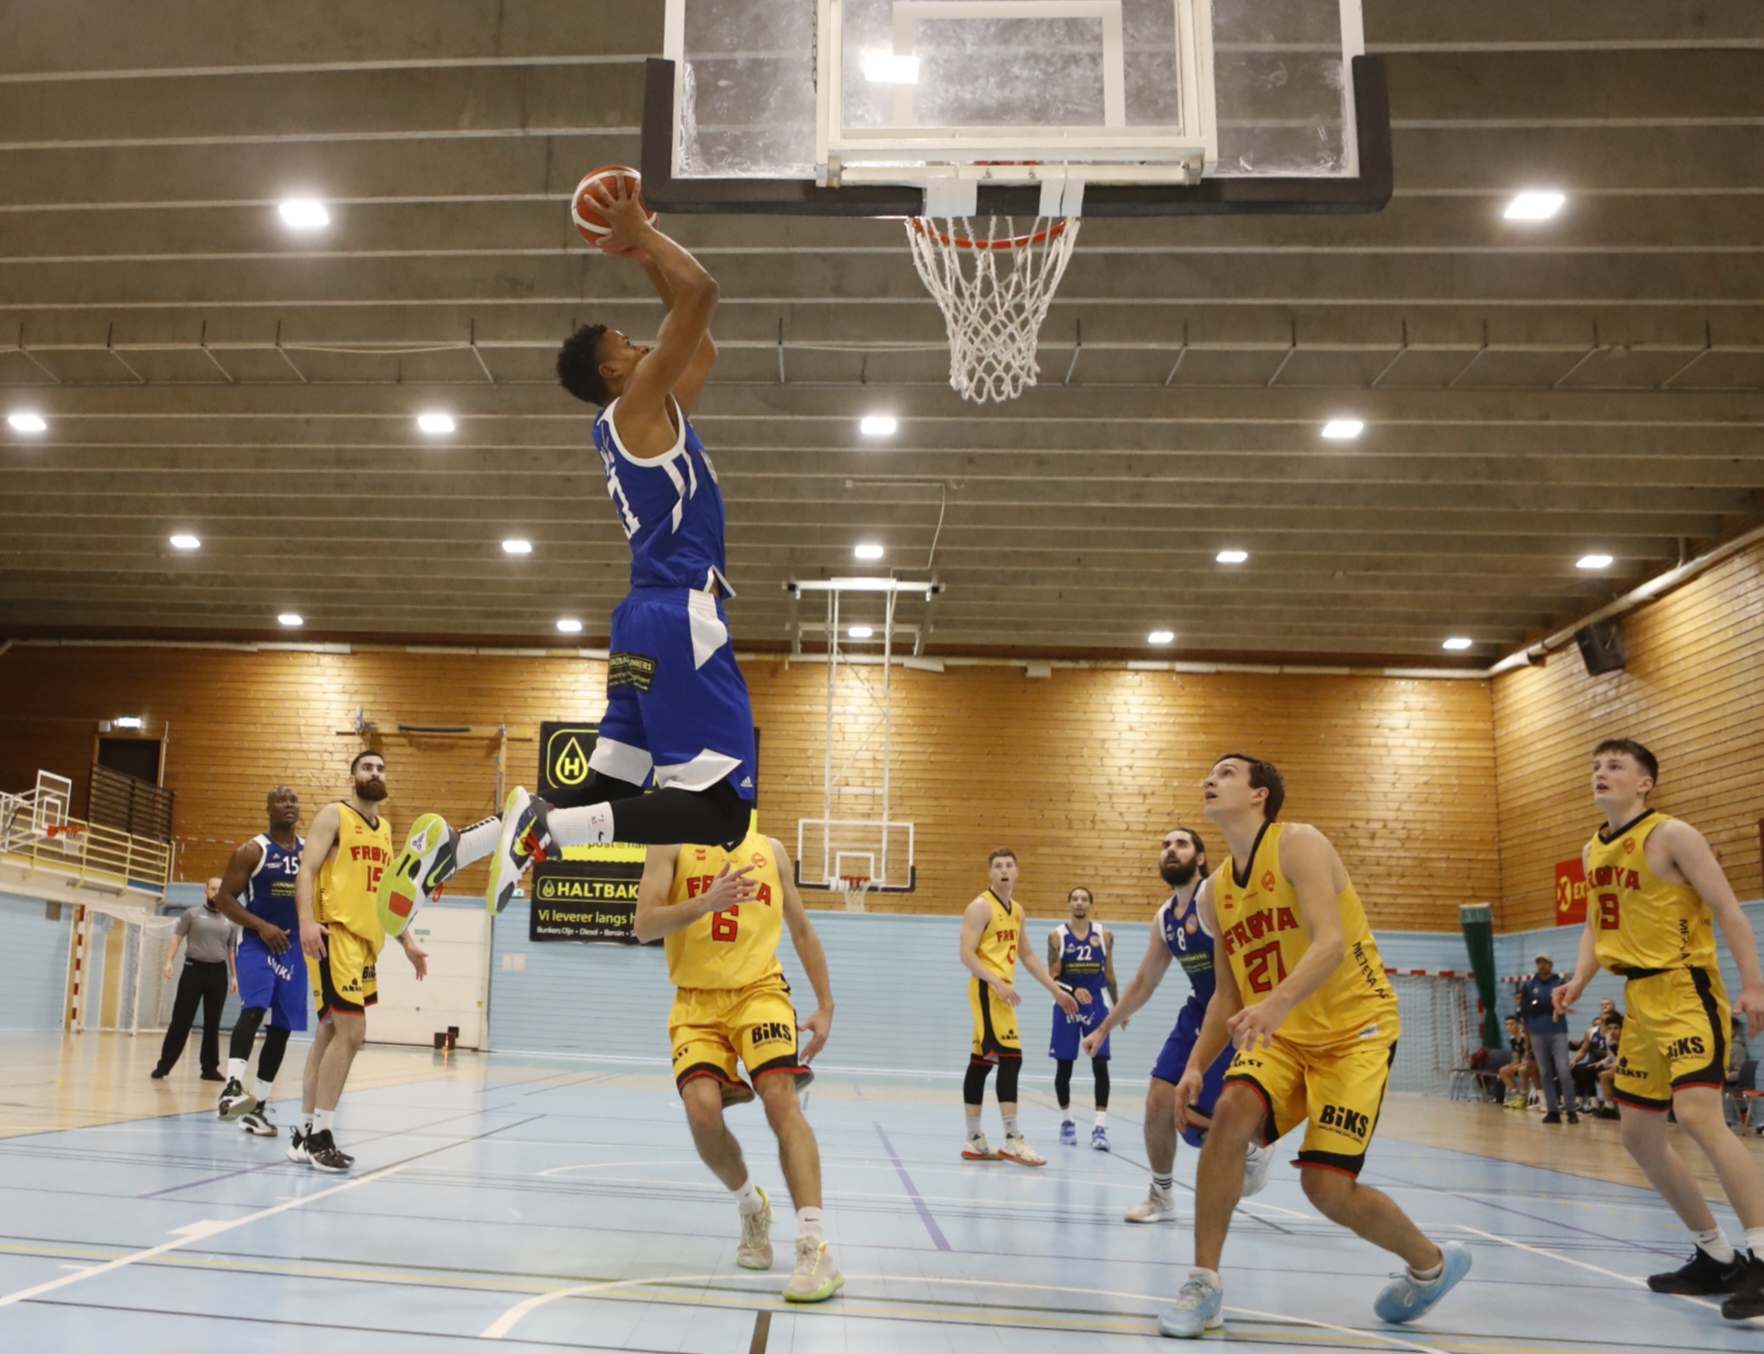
column 1079, row 773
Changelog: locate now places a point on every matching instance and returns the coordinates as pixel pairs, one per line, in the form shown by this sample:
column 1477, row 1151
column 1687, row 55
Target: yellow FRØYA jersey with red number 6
column 735, row 948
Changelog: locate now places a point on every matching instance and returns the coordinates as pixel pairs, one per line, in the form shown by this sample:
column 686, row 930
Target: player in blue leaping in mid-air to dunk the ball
column 676, row 703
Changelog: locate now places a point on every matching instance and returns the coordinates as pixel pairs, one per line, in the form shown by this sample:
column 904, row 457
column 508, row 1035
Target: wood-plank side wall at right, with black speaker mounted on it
column 1693, row 692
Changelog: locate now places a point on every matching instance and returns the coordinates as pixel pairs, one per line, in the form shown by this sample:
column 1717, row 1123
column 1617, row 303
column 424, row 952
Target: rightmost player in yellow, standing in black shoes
column 1654, row 893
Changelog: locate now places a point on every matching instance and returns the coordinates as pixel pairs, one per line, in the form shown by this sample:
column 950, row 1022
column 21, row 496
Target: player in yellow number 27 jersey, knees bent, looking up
column 1303, row 995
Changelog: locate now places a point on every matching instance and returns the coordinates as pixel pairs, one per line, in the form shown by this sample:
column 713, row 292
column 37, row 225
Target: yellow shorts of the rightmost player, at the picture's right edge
column 1675, row 1034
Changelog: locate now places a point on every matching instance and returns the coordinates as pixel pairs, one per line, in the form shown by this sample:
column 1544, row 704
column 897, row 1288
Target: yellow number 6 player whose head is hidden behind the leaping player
column 721, row 914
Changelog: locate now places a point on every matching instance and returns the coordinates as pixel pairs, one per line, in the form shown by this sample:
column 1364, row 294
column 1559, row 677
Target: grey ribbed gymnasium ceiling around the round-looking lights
column 1532, row 392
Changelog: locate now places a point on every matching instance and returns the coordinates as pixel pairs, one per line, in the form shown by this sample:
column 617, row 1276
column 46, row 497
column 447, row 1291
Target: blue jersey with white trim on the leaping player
column 669, row 507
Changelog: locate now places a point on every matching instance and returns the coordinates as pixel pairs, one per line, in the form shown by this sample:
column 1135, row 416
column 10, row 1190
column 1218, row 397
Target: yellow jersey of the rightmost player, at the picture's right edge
column 1641, row 921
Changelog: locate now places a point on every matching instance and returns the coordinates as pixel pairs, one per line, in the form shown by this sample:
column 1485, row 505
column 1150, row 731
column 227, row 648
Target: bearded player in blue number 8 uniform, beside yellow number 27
column 1177, row 934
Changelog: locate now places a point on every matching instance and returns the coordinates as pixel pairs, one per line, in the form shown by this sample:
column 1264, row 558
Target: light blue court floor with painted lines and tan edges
column 532, row 1205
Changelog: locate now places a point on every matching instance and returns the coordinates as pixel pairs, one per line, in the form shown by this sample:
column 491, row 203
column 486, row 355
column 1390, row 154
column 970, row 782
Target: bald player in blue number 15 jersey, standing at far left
column 258, row 895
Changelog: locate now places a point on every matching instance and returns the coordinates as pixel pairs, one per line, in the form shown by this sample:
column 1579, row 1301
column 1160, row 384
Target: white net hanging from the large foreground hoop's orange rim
column 994, row 292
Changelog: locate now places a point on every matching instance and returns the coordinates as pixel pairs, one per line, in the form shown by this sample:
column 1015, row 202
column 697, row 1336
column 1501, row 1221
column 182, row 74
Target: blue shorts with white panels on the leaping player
column 676, row 703
